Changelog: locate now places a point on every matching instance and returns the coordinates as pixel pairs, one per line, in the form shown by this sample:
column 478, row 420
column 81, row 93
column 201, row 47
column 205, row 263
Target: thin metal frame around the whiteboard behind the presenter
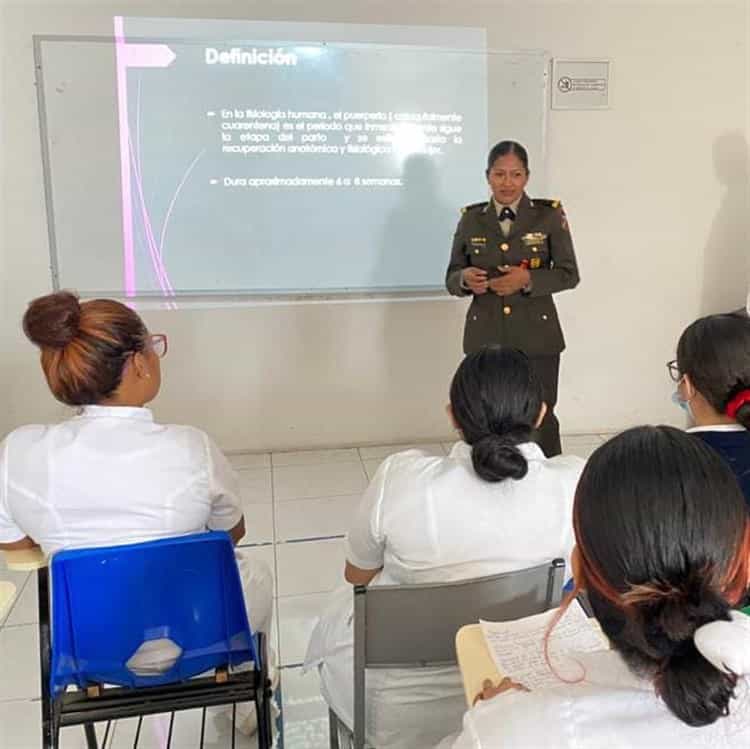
column 244, row 298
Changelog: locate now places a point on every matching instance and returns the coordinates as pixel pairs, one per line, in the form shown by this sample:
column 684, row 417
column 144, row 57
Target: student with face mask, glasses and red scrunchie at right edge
column 712, row 370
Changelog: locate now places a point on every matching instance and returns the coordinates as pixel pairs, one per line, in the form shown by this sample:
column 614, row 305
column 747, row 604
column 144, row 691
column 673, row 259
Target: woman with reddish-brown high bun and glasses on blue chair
column 110, row 474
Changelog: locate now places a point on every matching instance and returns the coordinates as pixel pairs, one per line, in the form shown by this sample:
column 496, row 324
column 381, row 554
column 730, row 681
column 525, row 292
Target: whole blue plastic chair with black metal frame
column 106, row 602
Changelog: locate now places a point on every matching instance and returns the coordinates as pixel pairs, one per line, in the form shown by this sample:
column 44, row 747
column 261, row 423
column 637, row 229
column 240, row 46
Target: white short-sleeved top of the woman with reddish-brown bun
column 111, row 475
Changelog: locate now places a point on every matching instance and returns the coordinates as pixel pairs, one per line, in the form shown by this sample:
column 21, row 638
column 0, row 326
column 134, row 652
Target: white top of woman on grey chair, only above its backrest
column 432, row 519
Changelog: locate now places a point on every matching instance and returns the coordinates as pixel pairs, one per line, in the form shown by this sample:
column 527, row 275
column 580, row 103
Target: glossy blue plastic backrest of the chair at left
column 108, row 602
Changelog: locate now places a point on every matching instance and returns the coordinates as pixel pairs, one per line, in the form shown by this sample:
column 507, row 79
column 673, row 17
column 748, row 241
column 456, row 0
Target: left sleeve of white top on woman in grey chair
column 365, row 541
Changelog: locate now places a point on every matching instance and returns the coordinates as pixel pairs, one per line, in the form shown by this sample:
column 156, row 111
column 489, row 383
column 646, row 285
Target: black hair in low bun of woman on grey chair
column 496, row 400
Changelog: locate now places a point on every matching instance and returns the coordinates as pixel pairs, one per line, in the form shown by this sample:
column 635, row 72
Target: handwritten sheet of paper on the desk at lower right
column 517, row 647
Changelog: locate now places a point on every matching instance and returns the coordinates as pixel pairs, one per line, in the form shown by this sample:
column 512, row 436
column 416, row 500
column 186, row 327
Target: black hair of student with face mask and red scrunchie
column 714, row 352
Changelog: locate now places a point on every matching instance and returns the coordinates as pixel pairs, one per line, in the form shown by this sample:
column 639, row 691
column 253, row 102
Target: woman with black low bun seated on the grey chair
column 495, row 504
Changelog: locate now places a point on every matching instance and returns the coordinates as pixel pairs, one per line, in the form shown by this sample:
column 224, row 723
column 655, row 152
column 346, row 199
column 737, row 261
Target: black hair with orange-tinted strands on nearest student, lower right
column 663, row 539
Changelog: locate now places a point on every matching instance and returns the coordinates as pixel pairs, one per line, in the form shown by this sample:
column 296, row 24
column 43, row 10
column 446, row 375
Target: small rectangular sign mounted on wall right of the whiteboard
column 581, row 84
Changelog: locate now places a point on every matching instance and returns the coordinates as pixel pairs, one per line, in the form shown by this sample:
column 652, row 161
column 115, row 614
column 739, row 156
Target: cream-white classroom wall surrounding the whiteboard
column 655, row 189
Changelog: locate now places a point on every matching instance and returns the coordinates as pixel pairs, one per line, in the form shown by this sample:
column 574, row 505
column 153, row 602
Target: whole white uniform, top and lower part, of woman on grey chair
column 432, row 519
